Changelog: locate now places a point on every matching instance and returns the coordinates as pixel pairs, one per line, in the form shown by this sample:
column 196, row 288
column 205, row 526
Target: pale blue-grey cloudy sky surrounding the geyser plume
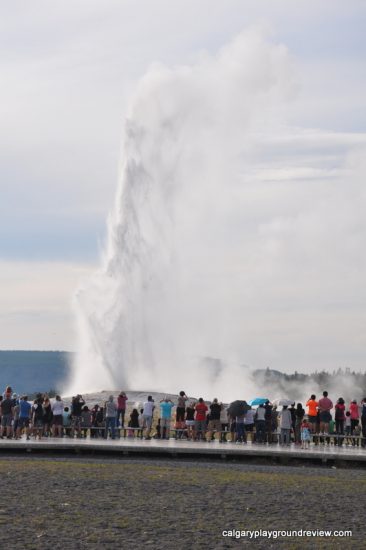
column 68, row 70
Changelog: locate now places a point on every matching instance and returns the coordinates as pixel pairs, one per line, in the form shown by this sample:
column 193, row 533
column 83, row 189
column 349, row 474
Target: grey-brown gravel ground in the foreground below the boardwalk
column 135, row 504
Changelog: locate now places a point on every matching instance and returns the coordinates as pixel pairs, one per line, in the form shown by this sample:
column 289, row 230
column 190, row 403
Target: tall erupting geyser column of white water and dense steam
column 161, row 298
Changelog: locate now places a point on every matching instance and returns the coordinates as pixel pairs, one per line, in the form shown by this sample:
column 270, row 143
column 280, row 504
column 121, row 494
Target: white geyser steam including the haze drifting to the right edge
column 218, row 222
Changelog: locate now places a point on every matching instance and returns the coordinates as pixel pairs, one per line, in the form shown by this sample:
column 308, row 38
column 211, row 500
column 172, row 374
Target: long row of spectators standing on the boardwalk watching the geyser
column 191, row 419
